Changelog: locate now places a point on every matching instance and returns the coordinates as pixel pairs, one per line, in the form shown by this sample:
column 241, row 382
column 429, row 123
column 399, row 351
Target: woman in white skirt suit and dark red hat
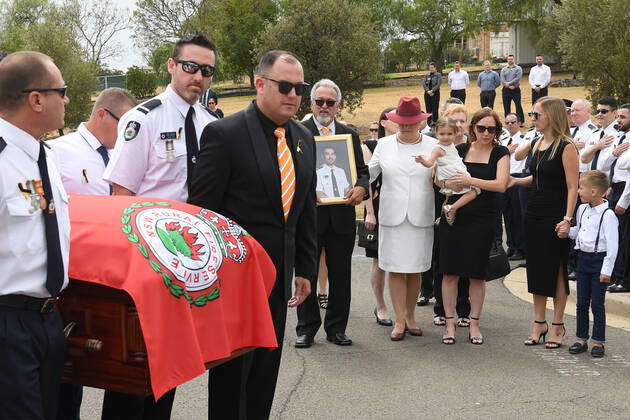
column 406, row 211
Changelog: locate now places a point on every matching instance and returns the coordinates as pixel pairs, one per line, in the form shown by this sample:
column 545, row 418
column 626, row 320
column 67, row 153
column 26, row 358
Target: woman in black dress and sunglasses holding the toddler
column 489, row 167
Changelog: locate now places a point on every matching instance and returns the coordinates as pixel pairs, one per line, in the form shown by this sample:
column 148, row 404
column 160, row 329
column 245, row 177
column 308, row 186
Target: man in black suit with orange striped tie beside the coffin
column 238, row 175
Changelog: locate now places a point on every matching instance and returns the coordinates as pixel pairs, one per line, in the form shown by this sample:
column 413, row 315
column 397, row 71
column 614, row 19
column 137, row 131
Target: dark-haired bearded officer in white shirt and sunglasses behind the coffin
column 154, row 156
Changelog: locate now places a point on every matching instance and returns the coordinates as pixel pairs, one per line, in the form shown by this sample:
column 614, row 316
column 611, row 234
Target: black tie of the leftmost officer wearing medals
column 54, row 265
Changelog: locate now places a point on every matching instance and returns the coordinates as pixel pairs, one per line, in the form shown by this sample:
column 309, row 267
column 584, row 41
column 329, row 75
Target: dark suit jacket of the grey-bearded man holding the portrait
column 341, row 217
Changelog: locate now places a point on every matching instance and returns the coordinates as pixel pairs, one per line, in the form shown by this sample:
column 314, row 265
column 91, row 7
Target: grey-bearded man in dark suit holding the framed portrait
column 336, row 228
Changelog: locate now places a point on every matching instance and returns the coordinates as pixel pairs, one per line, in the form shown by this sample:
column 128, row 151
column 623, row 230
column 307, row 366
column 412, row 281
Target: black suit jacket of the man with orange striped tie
column 236, row 177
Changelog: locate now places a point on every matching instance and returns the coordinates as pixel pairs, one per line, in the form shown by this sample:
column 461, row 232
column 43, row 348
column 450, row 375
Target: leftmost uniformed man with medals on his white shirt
column 35, row 227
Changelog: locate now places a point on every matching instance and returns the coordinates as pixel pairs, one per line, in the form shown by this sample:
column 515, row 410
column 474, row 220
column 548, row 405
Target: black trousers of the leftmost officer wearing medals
column 32, row 349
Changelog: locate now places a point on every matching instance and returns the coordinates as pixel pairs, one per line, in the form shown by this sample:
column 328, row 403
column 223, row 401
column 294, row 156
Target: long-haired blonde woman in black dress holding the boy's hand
column 552, row 199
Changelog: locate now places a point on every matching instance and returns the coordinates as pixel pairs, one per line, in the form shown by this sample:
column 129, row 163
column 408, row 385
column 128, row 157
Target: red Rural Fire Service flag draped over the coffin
column 200, row 283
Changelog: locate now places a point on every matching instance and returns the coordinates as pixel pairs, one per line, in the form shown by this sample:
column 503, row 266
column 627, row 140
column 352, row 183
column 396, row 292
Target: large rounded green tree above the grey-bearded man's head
column 343, row 50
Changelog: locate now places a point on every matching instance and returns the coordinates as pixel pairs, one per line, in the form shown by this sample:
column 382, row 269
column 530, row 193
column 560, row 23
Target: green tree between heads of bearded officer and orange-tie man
column 239, row 25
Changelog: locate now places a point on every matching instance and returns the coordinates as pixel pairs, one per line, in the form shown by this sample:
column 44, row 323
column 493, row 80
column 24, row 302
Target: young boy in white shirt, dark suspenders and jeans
column 596, row 239
